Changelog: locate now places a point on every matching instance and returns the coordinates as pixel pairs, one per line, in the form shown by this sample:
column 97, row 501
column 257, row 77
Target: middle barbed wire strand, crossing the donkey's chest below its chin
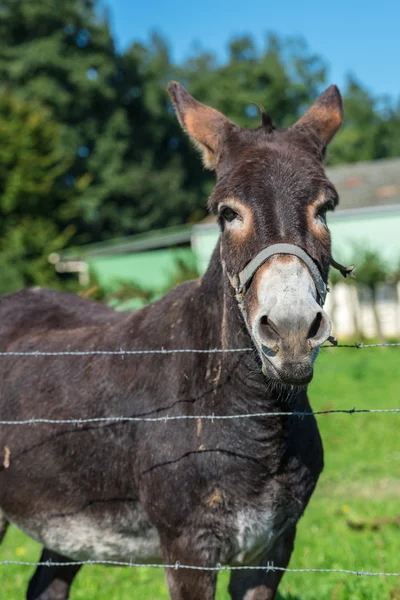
column 212, row 417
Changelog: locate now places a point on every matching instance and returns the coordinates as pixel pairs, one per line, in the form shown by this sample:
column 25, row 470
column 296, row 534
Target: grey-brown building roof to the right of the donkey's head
column 367, row 184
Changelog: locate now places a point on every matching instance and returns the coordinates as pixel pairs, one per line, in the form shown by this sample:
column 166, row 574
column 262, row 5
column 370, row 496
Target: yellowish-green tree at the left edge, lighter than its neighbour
column 32, row 162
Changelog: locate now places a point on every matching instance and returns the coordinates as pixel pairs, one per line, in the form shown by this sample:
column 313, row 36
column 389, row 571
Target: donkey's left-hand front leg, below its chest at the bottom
column 188, row 584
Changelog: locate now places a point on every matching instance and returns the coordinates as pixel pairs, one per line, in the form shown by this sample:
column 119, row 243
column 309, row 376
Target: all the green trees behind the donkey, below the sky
column 90, row 147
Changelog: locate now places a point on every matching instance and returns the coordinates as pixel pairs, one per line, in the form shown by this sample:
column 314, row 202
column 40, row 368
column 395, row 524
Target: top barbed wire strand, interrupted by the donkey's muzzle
column 356, row 346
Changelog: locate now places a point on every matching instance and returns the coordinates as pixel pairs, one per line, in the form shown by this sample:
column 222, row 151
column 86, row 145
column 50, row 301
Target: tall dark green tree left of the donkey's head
column 127, row 175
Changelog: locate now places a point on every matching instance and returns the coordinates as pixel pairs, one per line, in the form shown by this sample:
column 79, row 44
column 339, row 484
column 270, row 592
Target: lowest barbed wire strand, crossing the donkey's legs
column 269, row 567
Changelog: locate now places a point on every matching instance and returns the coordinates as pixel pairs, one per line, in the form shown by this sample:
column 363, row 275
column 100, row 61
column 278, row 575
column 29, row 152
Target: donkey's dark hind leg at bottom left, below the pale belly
column 52, row 583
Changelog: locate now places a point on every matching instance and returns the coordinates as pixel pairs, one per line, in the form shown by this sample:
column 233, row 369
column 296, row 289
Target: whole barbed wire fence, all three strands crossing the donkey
column 269, row 567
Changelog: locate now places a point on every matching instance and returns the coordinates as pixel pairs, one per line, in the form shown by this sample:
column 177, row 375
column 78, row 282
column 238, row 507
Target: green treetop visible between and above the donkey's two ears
column 282, row 76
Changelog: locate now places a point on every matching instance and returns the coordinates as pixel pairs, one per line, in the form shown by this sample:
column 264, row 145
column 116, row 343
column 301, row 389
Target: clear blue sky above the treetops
column 358, row 37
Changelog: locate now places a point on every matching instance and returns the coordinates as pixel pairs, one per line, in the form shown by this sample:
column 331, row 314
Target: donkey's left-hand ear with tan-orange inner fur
column 205, row 125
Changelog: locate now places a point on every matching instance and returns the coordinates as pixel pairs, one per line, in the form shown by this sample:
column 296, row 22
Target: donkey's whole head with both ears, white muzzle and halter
column 272, row 193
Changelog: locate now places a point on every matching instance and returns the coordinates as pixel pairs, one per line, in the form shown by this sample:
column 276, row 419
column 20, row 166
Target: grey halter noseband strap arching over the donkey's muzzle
column 247, row 273
